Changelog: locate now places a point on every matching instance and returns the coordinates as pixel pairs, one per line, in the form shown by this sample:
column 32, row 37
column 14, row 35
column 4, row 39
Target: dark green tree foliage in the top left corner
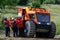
column 3, row 3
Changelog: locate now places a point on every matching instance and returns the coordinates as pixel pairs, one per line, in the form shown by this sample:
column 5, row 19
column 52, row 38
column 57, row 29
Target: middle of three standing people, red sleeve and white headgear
column 14, row 27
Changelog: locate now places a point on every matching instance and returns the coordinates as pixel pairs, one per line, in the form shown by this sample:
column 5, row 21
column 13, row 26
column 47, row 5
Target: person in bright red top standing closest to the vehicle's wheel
column 19, row 22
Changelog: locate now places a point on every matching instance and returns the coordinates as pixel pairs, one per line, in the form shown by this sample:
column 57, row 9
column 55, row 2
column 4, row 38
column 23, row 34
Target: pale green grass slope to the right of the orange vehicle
column 55, row 13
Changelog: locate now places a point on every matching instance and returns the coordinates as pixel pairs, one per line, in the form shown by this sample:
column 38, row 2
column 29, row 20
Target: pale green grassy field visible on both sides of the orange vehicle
column 54, row 10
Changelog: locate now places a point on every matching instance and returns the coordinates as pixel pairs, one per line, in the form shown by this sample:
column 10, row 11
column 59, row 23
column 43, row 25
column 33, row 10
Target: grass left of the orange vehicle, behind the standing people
column 8, row 13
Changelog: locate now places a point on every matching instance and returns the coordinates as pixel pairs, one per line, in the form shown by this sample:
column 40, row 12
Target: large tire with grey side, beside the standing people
column 30, row 26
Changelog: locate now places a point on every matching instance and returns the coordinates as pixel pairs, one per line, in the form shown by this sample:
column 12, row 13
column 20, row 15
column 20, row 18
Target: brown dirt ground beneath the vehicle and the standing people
column 2, row 37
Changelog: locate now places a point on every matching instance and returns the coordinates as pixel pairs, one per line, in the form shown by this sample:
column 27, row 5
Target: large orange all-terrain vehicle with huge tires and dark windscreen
column 38, row 22
